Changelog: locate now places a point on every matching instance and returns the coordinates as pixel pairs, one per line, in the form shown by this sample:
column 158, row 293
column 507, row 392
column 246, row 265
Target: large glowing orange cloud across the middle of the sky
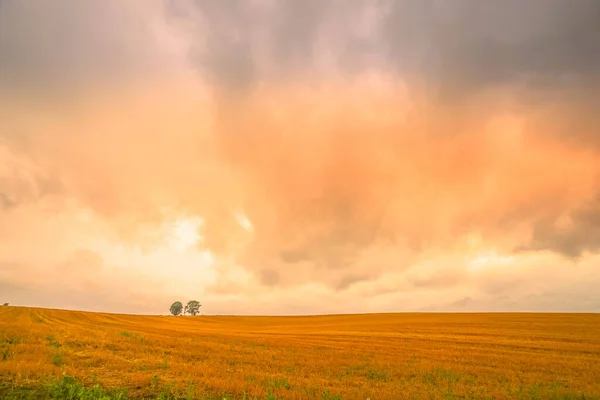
column 340, row 186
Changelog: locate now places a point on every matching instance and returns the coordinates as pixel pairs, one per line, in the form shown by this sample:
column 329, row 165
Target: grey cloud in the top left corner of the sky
column 66, row 43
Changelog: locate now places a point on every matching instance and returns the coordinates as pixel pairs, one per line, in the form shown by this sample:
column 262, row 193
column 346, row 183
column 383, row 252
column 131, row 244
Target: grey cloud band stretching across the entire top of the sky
column 457, row 47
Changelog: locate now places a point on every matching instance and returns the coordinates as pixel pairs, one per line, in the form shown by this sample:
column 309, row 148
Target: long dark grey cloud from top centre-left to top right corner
column 456, row 47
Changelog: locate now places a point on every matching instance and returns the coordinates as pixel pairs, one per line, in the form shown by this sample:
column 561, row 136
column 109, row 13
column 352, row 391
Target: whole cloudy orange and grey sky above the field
column 300, row 156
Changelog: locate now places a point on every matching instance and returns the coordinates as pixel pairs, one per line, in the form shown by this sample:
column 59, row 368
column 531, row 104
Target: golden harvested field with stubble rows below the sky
column 45, row 352
